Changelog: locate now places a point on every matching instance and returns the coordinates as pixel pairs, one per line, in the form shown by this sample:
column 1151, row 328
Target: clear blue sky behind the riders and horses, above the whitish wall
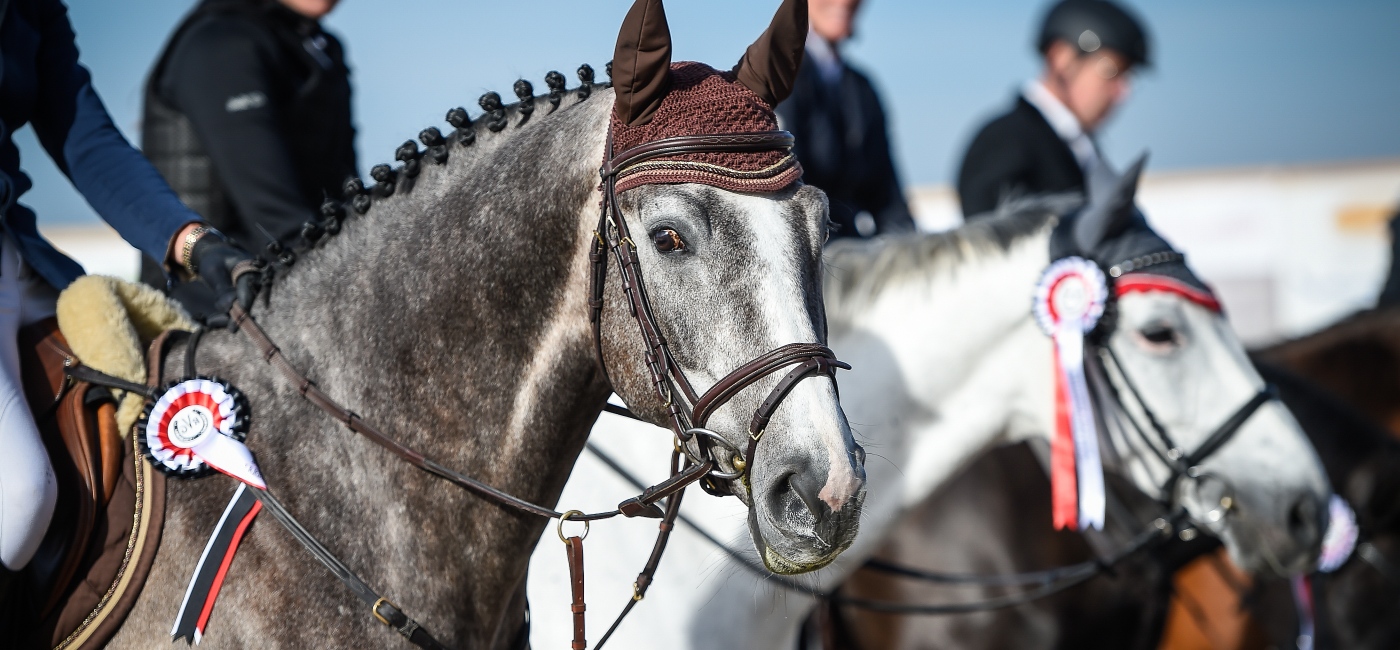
column 1237, row 82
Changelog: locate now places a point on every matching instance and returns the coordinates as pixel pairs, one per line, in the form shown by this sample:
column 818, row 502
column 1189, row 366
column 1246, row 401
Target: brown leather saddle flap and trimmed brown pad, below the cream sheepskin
column 107, row 525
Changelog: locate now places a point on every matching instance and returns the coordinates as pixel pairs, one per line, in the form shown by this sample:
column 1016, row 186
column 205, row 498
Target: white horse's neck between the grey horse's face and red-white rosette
column 951, row 361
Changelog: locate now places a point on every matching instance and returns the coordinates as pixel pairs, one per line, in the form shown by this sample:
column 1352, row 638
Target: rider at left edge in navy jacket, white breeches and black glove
column 44, row 85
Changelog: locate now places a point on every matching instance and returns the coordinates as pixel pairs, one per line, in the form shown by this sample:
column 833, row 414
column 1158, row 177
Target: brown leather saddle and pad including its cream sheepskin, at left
column 107, row 525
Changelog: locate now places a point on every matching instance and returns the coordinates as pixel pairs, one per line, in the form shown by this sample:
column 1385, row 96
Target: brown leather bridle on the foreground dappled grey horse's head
column 687, row 410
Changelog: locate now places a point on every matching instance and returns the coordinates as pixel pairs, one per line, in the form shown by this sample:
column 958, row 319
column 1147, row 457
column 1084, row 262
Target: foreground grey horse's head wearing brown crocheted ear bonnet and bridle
column 703, row 195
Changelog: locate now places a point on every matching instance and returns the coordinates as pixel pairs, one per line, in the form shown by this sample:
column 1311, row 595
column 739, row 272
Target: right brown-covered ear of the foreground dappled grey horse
column 769, row 67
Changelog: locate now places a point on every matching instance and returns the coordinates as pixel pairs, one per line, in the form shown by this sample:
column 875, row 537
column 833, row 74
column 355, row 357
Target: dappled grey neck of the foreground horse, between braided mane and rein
column 454, row 313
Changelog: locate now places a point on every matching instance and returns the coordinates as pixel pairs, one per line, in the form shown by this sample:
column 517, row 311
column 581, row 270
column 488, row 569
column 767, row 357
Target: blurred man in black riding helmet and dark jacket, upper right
column 1046, row 144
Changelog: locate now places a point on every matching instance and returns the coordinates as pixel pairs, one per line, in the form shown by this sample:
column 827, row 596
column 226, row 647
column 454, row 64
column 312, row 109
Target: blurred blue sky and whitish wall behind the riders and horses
column 1272, row 125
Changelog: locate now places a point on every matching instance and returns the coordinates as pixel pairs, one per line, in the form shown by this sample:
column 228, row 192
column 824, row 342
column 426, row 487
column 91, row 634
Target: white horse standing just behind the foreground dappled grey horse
column 950, row 362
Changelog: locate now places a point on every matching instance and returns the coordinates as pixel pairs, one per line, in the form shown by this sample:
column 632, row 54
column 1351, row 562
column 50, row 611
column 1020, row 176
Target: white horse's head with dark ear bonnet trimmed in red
column 1189, row 417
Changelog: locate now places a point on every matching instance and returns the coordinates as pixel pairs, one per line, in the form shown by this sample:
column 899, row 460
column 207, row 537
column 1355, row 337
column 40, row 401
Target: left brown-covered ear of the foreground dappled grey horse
column 642, row 64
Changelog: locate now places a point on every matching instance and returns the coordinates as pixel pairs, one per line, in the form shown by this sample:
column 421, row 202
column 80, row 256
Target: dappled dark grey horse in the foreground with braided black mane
column 453, row 310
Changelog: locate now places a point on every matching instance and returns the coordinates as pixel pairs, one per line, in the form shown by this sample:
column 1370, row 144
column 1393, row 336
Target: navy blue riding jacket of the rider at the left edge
column 43, row 83
